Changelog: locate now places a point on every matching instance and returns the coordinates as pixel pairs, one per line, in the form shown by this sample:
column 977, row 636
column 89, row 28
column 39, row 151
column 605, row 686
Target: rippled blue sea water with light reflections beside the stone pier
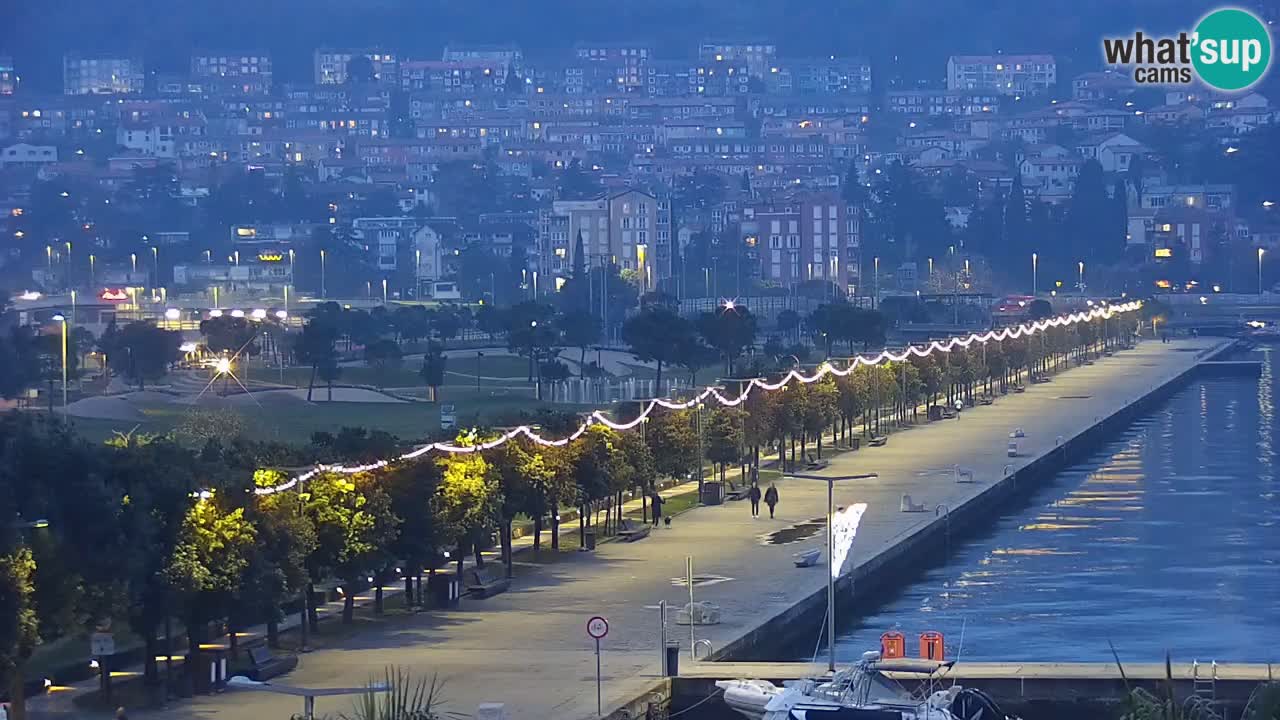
column 1164, row 540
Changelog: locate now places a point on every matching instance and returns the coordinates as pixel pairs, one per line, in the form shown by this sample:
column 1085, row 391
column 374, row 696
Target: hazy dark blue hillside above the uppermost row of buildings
column 911, row 37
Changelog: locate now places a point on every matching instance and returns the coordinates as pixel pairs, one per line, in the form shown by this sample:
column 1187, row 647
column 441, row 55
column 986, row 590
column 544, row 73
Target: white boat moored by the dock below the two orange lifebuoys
column 865, row 691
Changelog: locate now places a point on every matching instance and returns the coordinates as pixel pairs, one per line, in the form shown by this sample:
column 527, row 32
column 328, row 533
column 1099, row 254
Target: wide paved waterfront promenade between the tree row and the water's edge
column 529, row 648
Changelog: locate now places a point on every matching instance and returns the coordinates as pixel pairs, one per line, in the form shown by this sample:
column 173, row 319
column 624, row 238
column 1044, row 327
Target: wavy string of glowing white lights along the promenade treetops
column 714, row 393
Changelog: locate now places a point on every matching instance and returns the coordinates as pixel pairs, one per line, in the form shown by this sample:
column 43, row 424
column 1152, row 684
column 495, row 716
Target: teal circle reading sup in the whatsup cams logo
column 1232, row 49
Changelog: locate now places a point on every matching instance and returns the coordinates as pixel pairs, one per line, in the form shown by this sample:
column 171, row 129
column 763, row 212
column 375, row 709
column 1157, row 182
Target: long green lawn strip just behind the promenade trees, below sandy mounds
column 294, row 421
